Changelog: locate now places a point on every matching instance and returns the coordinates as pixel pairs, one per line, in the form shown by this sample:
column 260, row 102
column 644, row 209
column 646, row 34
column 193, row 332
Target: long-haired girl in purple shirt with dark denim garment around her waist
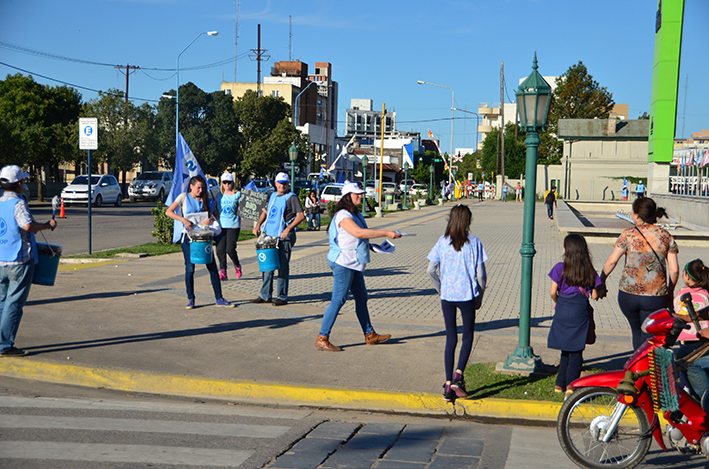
column 572, row 282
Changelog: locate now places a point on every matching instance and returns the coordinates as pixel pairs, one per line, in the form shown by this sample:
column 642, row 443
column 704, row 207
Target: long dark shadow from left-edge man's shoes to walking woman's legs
column 213, row 329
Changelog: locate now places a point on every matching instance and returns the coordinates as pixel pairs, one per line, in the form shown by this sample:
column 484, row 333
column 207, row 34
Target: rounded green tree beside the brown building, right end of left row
column 267, row 133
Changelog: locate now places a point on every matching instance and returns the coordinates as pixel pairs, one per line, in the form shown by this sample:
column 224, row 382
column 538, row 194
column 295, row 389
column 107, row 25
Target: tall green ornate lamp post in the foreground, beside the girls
column 533, row 99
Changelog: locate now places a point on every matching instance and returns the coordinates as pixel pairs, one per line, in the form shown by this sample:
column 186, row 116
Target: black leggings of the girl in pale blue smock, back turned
column 467, row 311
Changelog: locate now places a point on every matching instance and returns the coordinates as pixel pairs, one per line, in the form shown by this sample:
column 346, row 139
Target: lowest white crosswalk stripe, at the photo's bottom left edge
column 137, row 454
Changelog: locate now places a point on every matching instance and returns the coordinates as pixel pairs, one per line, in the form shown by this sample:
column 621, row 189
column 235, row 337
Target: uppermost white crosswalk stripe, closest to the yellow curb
column 97, row 404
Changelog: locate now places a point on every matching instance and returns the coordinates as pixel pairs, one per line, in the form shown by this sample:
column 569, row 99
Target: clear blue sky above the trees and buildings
column 378, row 49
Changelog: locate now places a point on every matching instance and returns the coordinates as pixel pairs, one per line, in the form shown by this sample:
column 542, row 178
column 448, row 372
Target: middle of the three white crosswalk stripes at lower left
column 137, row 425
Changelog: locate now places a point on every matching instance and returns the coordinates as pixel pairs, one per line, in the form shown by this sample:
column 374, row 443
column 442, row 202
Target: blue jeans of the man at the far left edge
column 15, row 282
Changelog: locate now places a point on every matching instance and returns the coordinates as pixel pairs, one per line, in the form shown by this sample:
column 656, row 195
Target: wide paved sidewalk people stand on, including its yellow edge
column 124, row 325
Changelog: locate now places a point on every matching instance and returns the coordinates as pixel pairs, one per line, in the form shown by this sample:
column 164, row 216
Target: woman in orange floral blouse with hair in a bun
column 651, row 254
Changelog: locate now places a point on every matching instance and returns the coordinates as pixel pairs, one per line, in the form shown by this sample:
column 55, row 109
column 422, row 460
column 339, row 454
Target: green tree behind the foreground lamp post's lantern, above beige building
column 577, row 96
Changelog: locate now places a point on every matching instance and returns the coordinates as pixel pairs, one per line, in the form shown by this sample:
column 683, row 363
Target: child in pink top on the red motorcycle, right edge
column 696, row 280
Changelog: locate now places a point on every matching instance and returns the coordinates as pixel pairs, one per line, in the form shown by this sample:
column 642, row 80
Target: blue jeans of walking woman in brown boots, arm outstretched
column 346, row 280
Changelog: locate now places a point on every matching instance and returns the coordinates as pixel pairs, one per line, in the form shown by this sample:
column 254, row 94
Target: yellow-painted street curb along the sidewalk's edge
column 276, row 393
